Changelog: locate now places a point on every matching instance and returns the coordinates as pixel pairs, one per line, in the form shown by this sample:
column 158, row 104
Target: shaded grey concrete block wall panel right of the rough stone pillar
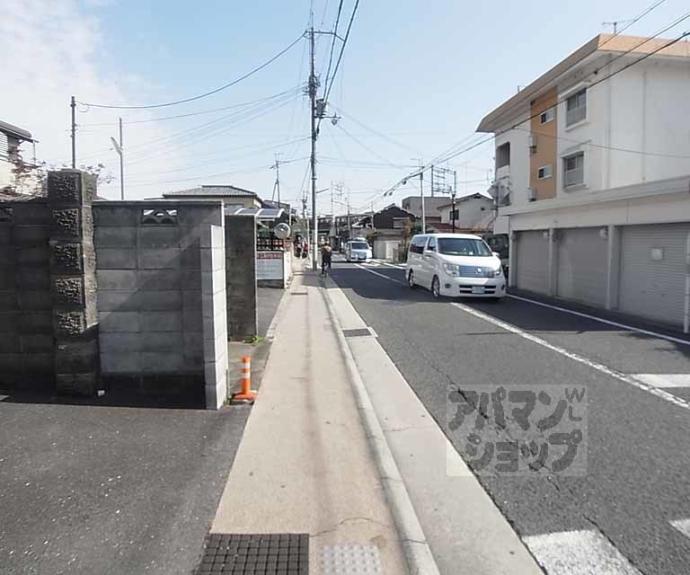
column 149, row 273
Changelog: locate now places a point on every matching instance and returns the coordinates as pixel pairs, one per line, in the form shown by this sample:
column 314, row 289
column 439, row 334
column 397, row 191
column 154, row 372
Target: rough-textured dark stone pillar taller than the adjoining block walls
column 73, row 281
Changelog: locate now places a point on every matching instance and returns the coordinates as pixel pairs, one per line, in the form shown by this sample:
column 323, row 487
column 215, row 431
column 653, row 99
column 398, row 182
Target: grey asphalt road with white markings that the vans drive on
column 637, row 479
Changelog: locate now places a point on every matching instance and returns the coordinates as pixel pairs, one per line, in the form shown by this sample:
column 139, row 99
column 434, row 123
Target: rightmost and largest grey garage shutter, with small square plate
column 652, row 277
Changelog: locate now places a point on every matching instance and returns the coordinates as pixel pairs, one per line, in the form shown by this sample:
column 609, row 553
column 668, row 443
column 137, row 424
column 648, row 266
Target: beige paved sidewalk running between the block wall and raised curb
column 304, row 464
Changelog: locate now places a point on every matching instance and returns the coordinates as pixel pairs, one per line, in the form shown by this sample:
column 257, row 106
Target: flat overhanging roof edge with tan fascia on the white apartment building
column 601, row 44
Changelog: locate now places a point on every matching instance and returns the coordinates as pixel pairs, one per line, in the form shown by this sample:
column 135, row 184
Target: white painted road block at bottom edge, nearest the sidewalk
column 577, row 553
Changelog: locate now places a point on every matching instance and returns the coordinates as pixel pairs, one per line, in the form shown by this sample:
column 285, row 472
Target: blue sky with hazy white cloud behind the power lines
column 416, row 79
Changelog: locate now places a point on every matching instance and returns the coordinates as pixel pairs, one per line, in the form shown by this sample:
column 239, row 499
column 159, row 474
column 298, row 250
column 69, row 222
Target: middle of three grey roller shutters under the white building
column 582, row 265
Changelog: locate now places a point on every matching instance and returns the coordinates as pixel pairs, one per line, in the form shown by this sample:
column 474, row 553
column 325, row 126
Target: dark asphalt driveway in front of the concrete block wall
column 92, row 489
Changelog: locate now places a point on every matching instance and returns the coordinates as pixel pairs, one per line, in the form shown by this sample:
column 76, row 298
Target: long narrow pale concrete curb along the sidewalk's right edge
column 420, row 560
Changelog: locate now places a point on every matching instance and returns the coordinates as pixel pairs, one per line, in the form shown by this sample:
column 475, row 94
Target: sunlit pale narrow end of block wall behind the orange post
column 214, row 304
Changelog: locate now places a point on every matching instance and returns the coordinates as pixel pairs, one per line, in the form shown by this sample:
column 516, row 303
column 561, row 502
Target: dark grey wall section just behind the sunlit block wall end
column 240, row 265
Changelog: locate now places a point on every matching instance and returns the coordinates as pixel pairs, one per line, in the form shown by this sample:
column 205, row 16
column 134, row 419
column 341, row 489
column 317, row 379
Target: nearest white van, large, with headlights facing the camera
column 455, row 265
